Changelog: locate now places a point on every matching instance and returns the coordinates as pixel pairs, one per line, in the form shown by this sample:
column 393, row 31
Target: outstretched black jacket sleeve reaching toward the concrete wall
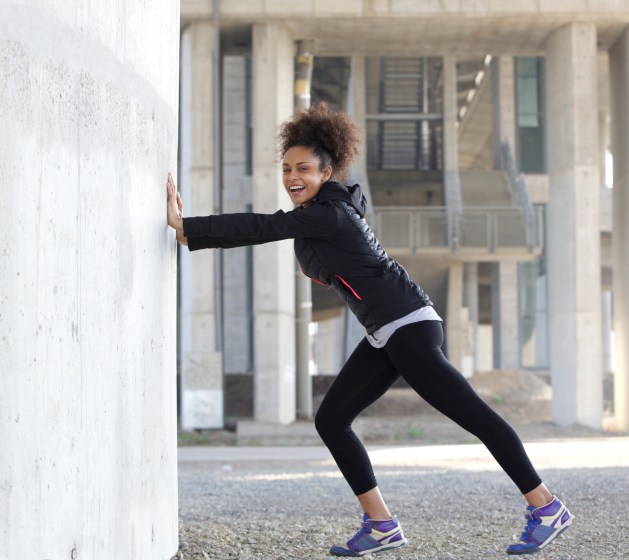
column 318, row 221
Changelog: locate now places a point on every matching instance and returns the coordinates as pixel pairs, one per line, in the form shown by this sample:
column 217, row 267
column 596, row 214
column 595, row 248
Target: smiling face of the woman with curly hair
column 302, row 175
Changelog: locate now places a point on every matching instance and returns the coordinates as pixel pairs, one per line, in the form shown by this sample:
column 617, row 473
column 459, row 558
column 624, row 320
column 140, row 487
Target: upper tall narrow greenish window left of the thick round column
column 529, row 88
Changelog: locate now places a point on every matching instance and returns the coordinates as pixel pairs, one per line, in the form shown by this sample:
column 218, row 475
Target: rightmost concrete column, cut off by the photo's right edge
column 619, row 90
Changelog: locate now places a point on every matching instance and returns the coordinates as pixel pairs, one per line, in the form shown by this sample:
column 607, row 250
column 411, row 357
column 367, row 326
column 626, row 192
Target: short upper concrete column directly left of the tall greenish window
column 504, row 118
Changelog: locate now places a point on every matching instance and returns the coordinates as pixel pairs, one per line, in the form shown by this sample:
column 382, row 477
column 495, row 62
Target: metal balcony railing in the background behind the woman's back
column 483, row 229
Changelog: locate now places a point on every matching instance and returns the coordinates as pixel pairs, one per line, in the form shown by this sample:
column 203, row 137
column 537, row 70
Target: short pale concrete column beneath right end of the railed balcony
column 505, row 315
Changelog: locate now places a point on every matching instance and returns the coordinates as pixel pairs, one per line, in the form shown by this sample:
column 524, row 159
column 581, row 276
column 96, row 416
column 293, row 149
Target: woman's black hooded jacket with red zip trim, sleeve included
column 334, row 246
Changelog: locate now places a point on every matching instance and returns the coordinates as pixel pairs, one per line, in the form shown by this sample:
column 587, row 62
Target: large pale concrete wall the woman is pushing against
column 88, row 131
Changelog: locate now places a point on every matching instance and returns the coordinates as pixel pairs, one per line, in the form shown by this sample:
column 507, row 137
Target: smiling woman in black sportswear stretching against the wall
column 335, row 246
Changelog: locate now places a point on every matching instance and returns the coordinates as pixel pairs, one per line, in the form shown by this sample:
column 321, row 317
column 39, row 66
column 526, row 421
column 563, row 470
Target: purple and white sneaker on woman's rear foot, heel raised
column 542, row 526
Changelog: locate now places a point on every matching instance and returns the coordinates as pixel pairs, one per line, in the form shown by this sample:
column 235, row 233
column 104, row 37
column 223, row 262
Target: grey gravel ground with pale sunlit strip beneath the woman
column 452, row 501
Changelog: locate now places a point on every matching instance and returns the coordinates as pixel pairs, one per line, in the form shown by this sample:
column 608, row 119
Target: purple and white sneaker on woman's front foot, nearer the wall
column 374, row 535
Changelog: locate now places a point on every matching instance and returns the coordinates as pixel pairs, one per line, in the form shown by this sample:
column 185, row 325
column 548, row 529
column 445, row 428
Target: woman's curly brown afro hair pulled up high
column 333, row 136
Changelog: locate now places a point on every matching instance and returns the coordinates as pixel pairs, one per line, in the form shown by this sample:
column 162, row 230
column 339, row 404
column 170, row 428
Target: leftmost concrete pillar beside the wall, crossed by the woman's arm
column 200, row 359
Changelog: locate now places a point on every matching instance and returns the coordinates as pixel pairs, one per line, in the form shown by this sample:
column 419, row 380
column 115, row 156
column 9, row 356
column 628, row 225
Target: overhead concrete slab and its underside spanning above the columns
column 424, row 28
